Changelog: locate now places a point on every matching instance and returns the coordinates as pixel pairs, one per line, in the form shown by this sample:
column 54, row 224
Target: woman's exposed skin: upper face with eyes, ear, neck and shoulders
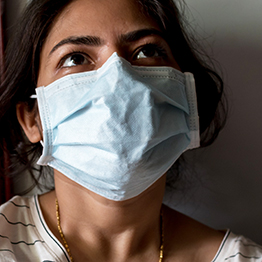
column 98, row 229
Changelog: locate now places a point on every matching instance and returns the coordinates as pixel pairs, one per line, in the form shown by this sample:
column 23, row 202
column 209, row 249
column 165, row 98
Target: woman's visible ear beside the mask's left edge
column 29, row 122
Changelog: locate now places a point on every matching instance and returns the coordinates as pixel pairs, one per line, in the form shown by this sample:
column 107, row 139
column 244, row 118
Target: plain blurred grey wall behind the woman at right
column 227, row 189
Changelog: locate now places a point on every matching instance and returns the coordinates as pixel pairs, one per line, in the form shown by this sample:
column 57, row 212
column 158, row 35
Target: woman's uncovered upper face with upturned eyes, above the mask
column 88, row 32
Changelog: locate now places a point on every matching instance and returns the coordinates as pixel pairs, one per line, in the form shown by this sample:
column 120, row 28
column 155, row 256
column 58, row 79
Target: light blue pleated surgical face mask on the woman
column 117, row 130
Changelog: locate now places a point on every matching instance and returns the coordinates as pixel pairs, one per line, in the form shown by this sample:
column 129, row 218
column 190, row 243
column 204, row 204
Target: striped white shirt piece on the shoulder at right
column 237, row 248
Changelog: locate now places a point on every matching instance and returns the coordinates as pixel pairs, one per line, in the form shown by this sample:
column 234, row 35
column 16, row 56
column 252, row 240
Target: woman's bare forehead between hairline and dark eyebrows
column 105, row 18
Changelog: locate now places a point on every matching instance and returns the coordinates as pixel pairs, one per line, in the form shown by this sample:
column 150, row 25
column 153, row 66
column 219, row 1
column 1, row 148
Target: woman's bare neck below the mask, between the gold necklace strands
column 110, row 230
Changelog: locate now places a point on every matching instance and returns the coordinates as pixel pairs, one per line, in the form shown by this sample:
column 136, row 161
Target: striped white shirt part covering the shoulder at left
column 24, row 234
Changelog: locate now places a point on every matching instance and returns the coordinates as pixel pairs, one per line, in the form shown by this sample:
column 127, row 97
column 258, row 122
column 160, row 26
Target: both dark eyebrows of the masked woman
column 97, row 41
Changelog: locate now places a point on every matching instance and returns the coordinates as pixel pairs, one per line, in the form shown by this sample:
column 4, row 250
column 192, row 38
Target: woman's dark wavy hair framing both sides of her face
column 22, row 65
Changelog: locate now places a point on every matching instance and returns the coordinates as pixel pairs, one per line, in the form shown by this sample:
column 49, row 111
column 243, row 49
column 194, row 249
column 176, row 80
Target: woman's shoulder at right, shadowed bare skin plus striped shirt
column 189, row 240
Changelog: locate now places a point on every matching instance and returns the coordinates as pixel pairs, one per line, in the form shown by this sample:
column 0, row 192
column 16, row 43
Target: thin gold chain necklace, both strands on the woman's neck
column 161, row 253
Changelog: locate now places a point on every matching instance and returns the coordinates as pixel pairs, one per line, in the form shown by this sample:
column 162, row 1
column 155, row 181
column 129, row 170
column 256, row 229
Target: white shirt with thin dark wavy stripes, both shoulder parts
column 25, row 237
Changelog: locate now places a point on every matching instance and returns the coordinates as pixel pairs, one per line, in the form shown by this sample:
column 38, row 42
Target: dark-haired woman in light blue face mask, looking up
column 111, row 113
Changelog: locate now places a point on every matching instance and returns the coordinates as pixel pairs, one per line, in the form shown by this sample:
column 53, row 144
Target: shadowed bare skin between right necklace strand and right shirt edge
column 189, row 240
